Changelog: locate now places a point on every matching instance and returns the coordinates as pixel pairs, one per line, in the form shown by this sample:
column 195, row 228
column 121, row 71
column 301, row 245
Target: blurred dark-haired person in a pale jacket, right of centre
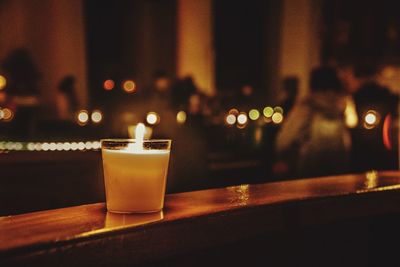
column 314, row 140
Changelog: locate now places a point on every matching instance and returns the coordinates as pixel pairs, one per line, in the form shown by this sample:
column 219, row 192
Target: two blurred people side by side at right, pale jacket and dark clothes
column 343, row 125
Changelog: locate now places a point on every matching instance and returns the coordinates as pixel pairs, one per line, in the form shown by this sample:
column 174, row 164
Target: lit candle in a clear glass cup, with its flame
column 135, row 173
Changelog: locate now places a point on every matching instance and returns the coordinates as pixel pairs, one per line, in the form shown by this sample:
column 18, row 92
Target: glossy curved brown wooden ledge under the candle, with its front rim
column 190, row 221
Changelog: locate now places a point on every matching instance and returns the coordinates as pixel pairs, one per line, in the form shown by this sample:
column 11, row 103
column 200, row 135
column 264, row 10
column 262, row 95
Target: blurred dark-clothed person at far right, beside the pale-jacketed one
column 369, row 98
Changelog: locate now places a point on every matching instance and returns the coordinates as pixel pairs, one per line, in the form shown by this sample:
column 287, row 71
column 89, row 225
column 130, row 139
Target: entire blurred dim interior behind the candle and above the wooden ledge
column 249, row 91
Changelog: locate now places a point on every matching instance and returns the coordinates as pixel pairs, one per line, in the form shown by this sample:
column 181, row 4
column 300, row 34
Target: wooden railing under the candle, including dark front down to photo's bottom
column 292, row 223
